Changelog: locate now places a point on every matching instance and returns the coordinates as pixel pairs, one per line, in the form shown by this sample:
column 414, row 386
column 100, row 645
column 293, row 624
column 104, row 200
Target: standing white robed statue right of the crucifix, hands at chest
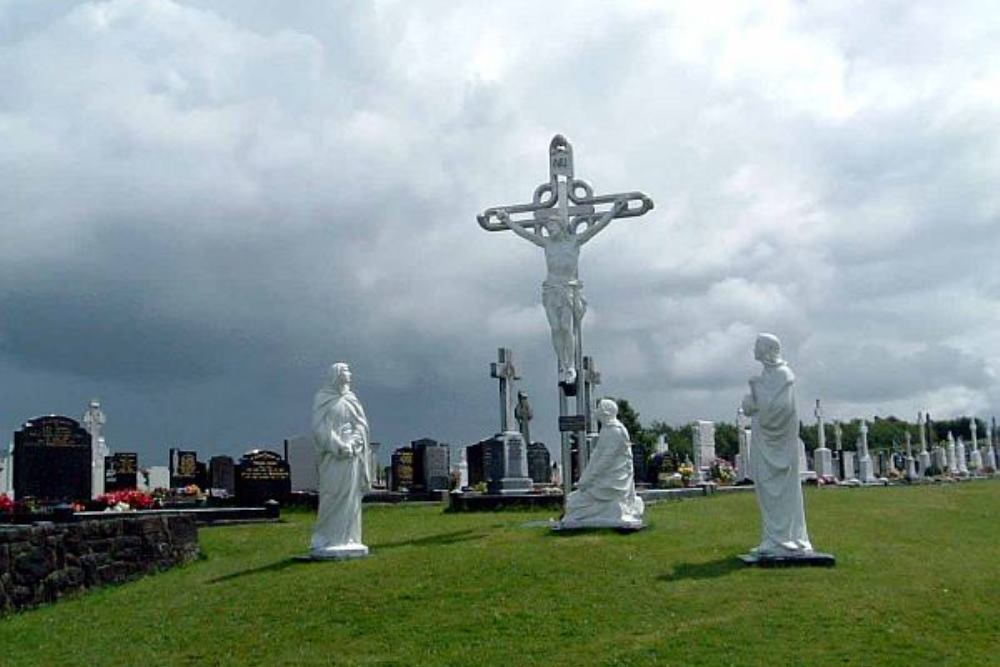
column 774, row 452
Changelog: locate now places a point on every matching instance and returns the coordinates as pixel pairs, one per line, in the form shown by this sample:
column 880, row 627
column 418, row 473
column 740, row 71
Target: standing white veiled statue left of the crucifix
column 341, row 434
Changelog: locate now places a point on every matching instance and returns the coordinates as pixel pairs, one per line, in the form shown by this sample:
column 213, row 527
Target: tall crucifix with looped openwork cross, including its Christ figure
column 564, row 214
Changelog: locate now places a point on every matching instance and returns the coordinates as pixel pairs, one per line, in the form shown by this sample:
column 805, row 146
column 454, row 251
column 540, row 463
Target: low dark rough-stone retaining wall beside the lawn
column 47, row 561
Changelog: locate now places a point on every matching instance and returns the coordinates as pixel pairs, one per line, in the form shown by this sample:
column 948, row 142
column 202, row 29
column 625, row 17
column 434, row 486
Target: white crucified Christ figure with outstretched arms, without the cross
column 562, row 291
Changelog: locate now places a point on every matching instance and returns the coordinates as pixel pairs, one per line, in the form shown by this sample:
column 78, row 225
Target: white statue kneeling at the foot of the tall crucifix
column 605, row 496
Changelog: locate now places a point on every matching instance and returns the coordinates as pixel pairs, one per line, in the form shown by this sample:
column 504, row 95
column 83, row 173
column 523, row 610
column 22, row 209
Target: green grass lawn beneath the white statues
column 916, row 583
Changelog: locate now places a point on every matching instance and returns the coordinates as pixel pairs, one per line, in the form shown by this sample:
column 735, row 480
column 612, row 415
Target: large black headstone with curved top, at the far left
column 52, row 460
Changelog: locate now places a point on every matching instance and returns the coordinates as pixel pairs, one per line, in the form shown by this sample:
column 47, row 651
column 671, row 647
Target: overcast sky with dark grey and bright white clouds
column 204, row 204
